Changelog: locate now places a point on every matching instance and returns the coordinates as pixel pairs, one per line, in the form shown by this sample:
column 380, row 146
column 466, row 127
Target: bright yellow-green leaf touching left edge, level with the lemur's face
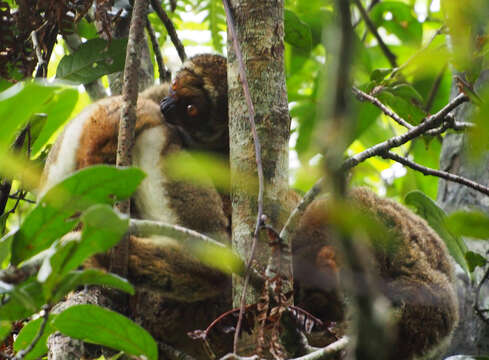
column 19, row 102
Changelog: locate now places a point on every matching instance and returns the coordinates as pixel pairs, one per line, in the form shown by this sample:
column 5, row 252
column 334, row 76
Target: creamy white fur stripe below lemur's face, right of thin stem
column 151, row 198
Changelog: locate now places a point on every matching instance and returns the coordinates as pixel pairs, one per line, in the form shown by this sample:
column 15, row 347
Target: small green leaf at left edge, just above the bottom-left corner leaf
column 25, row 300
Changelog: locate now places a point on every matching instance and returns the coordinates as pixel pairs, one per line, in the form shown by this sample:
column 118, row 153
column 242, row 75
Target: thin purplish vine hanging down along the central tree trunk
column 251, row 111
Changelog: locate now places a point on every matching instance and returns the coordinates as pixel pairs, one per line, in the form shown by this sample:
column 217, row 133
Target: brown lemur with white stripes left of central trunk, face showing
column 198, row 98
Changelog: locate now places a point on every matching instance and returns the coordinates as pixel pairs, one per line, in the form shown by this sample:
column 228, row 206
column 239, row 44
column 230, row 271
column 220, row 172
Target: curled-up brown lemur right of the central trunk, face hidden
column 417, row 275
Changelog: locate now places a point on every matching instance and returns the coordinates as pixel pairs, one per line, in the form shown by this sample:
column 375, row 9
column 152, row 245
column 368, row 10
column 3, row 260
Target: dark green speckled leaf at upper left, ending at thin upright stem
column 93, row 59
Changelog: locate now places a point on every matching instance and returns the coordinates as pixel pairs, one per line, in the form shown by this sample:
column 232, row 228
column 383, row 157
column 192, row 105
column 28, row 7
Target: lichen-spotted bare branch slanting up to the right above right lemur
column 430, row 122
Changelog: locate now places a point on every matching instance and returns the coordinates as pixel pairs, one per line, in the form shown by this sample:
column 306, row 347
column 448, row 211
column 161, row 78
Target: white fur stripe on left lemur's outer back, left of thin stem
column 64, row 163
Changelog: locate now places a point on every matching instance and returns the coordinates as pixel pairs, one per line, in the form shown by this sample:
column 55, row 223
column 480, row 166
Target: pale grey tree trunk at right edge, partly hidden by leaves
column 472, row 334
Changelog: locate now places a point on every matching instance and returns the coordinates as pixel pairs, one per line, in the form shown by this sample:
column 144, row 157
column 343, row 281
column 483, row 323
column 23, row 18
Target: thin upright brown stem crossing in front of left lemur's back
column 119, row 257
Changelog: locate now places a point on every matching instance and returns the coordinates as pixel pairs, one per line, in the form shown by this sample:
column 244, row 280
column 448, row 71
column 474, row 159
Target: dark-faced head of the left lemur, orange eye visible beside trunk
column 197, row 104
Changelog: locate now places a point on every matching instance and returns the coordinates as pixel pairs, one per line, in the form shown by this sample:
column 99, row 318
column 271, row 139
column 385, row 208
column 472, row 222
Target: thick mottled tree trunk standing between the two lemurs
column 260, row 31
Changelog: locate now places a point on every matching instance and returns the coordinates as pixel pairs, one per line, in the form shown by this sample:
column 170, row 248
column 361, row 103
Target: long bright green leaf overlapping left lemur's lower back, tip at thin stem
column 56, row 213
